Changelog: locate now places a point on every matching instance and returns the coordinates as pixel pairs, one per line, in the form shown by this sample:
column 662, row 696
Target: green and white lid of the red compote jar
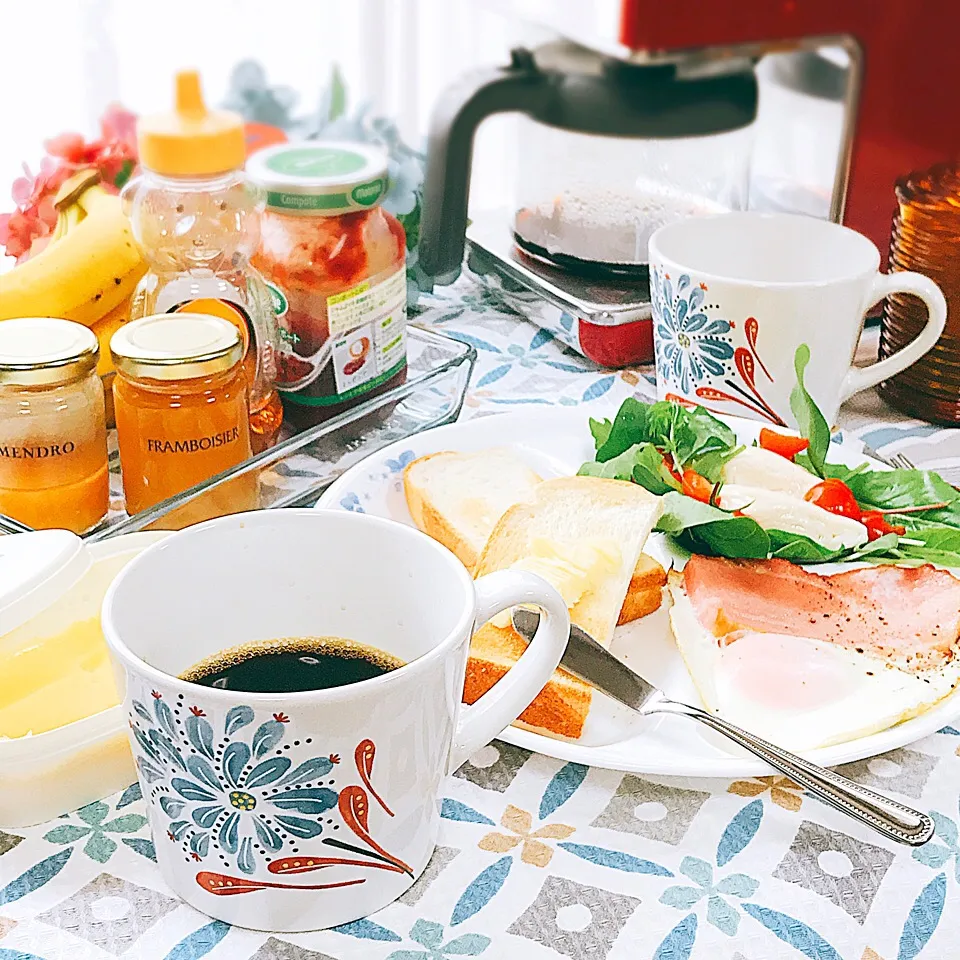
column 321, row 178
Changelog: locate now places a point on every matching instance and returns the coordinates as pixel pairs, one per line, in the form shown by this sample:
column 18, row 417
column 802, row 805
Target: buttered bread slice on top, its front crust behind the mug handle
column 573, row 513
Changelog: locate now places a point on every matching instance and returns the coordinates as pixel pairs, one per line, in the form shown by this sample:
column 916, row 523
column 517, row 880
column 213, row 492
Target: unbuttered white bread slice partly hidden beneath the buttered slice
column 457, row 498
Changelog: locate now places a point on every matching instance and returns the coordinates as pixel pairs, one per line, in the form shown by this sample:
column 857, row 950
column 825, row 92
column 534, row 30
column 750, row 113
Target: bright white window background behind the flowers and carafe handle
column 65, row 66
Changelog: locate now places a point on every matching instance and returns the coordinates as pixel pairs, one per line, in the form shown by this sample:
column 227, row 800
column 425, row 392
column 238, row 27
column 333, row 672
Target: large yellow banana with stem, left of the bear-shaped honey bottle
column 90, row 267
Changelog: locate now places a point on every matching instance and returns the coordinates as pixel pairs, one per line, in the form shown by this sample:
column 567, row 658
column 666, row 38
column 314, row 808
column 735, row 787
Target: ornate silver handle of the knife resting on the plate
column 889, row 818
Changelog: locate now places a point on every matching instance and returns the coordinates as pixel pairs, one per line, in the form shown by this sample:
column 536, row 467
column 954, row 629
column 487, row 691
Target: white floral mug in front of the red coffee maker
column 734, row 296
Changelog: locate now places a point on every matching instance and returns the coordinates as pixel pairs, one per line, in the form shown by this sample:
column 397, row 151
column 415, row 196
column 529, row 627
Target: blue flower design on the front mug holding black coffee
column 226, row 791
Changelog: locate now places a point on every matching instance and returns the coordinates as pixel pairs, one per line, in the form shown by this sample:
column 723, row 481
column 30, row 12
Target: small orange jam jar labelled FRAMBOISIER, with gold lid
column 180, row 396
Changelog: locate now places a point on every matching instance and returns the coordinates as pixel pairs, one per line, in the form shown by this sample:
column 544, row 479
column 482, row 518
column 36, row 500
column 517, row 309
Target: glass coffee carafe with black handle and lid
column 608, row 151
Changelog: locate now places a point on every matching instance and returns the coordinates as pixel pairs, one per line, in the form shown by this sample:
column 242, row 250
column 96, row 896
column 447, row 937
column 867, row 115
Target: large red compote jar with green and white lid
column 335, row 262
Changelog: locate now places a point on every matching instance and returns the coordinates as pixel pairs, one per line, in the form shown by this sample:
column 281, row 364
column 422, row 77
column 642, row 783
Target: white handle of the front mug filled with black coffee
column 510, row 696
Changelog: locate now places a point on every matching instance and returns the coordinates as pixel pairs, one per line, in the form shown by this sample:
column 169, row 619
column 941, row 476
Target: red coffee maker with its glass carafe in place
column 645, row 110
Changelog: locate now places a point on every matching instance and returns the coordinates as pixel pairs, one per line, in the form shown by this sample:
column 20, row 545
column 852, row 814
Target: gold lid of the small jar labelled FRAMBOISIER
column 176, row 346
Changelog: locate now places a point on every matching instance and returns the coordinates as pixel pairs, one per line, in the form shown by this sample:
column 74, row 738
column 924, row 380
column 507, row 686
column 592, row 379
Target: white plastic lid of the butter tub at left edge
column 36, row 569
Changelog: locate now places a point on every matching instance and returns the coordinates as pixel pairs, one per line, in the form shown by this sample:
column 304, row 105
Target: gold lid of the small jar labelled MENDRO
column 44, row 351
